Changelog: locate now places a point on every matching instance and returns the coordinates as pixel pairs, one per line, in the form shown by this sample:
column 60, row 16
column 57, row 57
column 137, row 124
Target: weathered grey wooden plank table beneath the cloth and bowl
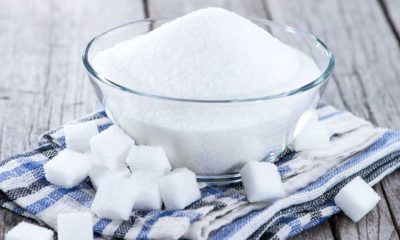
column 43, row 83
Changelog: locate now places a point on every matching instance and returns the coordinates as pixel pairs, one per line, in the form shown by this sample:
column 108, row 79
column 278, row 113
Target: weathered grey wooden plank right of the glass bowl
column 365, row 79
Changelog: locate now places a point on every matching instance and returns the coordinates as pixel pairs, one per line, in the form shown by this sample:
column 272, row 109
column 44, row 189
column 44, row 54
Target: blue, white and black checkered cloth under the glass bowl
column 311, row 178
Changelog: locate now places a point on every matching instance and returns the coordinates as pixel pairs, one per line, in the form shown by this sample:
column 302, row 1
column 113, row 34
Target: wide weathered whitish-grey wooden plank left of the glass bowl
column 43, row 81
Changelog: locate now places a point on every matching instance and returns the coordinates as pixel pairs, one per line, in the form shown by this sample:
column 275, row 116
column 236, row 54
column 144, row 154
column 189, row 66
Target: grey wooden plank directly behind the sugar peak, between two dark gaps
column 253, row 8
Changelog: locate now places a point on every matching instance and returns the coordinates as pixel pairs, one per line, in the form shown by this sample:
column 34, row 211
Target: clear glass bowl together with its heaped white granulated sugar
column 214, row 89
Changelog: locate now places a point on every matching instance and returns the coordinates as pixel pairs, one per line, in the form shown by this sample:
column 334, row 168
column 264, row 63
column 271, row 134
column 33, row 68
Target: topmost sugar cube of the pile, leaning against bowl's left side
column 111, row 147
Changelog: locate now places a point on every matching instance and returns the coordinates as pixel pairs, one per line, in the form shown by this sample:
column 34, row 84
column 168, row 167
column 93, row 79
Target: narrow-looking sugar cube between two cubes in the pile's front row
column 148, row 197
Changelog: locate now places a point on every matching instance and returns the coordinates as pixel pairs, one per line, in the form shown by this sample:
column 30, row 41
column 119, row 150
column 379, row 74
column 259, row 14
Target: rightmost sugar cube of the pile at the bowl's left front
column 179, row 189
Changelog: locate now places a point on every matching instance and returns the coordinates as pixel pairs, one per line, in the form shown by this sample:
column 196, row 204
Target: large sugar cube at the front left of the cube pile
column 114, row 199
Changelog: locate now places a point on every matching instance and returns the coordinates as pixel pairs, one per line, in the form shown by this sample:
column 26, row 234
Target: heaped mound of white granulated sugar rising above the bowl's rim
column 208, row 54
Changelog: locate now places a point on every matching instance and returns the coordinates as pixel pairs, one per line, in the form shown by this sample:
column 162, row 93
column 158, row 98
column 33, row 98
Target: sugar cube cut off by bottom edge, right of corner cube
column 78, row 225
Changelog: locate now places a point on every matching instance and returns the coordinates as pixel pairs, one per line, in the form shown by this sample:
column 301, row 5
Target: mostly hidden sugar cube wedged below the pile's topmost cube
column 100, row 173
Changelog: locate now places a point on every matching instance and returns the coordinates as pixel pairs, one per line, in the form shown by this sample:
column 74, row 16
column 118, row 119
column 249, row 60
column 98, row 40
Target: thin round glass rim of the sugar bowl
column 316, row 82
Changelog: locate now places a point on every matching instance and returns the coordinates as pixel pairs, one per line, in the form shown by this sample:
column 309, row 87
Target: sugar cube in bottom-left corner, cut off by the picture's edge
column 27, row 231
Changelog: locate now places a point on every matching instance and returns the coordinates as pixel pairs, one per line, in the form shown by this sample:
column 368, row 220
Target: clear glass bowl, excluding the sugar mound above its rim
column 219, row 136
